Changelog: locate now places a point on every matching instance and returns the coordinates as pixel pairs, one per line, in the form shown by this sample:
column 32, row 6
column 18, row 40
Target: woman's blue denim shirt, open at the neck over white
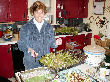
column 40, row 42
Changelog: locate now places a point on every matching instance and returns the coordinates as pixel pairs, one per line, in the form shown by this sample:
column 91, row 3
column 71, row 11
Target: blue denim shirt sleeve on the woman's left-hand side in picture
column 23, row 39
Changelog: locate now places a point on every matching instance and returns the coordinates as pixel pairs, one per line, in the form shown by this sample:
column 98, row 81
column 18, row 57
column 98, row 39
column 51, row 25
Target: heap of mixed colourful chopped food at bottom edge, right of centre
column 74, row 75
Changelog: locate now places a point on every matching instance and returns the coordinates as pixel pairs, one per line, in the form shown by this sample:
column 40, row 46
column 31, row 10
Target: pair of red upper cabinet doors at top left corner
column 13, row 10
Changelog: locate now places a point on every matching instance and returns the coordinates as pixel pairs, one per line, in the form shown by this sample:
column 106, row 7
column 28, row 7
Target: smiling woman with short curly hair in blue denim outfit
column 36, row 37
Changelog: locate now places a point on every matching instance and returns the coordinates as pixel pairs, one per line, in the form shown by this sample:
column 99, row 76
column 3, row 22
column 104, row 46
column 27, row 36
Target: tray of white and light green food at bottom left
column 37, row 75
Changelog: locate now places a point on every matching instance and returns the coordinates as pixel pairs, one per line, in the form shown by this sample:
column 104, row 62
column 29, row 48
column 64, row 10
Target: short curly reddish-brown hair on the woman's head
column 37, row 6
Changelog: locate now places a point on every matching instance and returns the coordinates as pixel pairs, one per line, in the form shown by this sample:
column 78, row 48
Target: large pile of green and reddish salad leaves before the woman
column 60, row 59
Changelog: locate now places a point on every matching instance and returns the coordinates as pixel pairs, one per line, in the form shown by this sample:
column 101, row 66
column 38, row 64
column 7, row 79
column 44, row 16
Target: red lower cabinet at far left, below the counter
column 6, row 64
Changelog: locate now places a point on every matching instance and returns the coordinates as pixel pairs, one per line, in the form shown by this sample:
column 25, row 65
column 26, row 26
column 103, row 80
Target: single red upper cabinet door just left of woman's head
column 18, row 10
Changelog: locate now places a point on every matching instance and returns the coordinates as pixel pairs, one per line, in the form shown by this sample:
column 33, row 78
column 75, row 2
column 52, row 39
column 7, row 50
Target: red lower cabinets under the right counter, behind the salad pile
column 82, row 39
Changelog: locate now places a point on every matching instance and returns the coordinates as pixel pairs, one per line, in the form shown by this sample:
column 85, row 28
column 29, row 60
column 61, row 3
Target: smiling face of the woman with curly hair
column 39, row 15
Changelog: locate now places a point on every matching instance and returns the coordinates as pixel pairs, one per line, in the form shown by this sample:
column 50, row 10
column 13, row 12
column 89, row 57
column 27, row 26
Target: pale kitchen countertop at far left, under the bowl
column 13, row 41
